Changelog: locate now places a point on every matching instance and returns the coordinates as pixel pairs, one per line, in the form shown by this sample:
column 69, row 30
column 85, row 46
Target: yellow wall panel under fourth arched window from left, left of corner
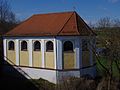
column 49, row 60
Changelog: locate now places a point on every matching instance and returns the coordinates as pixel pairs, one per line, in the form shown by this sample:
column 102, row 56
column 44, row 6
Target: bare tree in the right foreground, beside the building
column 110, row 39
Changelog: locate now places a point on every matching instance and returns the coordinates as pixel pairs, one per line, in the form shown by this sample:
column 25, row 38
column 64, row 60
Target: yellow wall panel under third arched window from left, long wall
column 37, row 59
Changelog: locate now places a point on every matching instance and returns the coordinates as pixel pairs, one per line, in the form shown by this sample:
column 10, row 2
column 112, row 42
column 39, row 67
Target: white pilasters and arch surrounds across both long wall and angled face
column 58, row 43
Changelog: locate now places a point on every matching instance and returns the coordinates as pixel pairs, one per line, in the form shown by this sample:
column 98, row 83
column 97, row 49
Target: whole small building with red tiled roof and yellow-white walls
column 52, row 46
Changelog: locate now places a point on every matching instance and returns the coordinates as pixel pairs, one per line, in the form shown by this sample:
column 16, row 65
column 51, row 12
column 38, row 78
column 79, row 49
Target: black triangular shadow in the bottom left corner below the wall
column 12, row 79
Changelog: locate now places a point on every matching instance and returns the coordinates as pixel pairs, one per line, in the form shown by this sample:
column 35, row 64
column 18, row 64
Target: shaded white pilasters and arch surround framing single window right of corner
column 76, row 40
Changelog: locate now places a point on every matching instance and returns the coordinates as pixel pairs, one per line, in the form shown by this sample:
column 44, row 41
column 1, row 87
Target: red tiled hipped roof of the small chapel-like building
column 52, row 24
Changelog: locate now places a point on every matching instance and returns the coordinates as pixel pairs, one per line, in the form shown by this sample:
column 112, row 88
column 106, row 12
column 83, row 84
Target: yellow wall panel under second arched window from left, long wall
column 24, row 58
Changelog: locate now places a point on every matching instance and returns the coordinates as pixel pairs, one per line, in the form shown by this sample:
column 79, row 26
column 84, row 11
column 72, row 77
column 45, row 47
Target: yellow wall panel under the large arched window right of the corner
column 69, row 60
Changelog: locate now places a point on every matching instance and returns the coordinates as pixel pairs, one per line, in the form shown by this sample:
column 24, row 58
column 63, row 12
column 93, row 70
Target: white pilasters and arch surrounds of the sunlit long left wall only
column 30, row 47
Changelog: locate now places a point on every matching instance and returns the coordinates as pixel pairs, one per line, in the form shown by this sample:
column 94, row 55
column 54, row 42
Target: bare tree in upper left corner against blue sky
column 7, row 17
